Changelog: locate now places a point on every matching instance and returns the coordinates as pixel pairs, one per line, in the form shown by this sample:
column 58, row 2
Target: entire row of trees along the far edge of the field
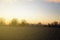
column 14, row 22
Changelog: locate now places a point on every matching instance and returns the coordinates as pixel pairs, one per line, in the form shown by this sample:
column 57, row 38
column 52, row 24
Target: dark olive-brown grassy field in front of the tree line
column 29, row 33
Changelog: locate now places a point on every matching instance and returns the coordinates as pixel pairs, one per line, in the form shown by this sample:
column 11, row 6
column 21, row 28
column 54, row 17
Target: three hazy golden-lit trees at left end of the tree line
column 14, row 22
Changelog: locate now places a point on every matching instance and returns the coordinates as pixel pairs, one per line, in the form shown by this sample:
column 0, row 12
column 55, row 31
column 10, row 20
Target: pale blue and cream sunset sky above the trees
column 33, row 11
